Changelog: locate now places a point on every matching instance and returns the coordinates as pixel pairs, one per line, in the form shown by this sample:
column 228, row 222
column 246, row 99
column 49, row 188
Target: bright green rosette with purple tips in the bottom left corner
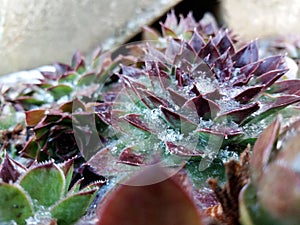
column 42, row 194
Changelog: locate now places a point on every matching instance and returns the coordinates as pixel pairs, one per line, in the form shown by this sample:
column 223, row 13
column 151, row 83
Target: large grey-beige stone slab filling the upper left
column 38, row 32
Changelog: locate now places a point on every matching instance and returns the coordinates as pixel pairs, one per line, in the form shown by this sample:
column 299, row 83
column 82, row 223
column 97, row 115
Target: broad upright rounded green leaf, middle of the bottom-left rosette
column 45, row 183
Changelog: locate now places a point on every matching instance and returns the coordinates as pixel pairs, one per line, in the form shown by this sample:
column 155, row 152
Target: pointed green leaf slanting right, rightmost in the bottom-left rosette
column 72, row 208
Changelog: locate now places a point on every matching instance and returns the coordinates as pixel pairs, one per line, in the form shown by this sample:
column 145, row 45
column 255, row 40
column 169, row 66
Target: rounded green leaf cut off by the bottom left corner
column 14, row 204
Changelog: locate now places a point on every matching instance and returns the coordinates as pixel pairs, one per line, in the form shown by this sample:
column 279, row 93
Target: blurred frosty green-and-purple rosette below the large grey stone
column 81, row 79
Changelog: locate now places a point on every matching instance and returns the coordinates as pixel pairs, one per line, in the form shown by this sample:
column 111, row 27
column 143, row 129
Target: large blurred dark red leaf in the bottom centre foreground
column 164, row 203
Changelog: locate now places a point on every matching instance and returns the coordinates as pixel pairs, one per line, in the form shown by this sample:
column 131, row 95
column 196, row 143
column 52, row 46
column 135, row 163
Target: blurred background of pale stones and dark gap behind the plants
column 34, row 33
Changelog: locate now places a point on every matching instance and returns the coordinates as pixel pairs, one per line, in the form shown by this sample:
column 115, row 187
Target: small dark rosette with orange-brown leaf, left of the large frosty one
column 65, row 132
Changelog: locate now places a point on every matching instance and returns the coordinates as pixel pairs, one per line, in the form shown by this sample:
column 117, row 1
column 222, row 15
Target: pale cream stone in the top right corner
column 252, row 19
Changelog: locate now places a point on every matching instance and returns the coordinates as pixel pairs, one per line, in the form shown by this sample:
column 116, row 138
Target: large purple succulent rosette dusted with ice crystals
column 189, row 94
